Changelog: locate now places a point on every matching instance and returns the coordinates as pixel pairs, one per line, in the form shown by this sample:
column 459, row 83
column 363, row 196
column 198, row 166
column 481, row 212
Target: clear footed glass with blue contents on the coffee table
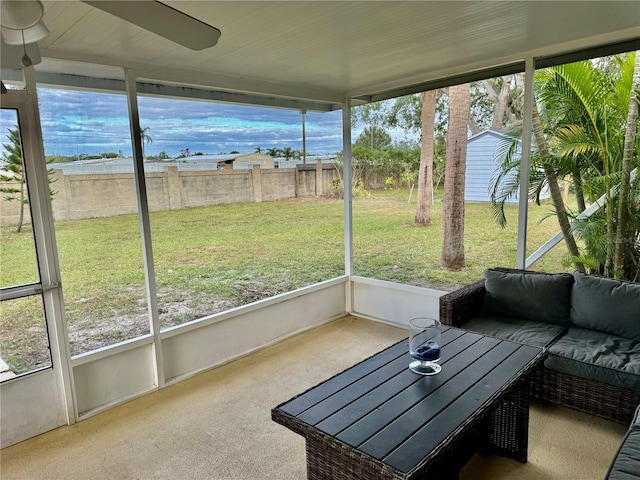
column 424, row 345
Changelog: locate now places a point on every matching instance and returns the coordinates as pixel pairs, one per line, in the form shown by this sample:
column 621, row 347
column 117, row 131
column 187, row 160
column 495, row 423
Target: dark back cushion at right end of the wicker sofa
column 607, row 305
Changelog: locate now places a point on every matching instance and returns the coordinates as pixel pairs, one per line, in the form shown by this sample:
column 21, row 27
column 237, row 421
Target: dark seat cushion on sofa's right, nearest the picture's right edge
column 598, row 356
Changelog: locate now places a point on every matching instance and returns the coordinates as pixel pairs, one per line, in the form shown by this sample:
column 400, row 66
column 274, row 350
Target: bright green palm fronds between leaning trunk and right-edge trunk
column 599, row 98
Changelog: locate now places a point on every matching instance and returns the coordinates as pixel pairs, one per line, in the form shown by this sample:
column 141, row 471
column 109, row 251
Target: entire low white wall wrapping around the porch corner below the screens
column 119, row 373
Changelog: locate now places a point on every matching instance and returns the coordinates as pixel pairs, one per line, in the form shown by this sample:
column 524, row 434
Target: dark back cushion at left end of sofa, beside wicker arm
column 536, row 296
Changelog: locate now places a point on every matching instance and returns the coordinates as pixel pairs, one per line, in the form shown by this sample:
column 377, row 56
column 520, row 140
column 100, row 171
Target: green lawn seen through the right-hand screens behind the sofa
column 388, row 246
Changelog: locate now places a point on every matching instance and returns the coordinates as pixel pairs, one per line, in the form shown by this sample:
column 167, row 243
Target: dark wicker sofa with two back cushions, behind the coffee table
column 590, row 326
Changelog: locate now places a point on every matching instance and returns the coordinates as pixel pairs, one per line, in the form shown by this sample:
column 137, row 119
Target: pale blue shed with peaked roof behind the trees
column 482, row 165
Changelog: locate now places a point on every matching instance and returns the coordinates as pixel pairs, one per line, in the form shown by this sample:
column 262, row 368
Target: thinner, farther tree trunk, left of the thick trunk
column 425, row 175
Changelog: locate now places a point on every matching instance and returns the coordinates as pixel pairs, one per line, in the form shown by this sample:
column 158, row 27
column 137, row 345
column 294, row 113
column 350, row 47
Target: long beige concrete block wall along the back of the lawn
column 104, row 195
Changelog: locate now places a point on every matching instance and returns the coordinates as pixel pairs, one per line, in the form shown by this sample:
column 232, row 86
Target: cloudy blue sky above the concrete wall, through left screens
column 76, row 122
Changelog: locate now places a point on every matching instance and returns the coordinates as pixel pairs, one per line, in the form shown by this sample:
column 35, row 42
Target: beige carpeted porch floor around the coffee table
column 218, row 425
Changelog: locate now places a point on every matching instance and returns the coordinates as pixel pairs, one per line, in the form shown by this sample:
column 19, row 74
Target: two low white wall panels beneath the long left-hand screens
column 116, row 374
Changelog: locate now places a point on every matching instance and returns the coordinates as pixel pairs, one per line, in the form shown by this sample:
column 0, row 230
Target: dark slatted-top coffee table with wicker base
column 379, row 420
